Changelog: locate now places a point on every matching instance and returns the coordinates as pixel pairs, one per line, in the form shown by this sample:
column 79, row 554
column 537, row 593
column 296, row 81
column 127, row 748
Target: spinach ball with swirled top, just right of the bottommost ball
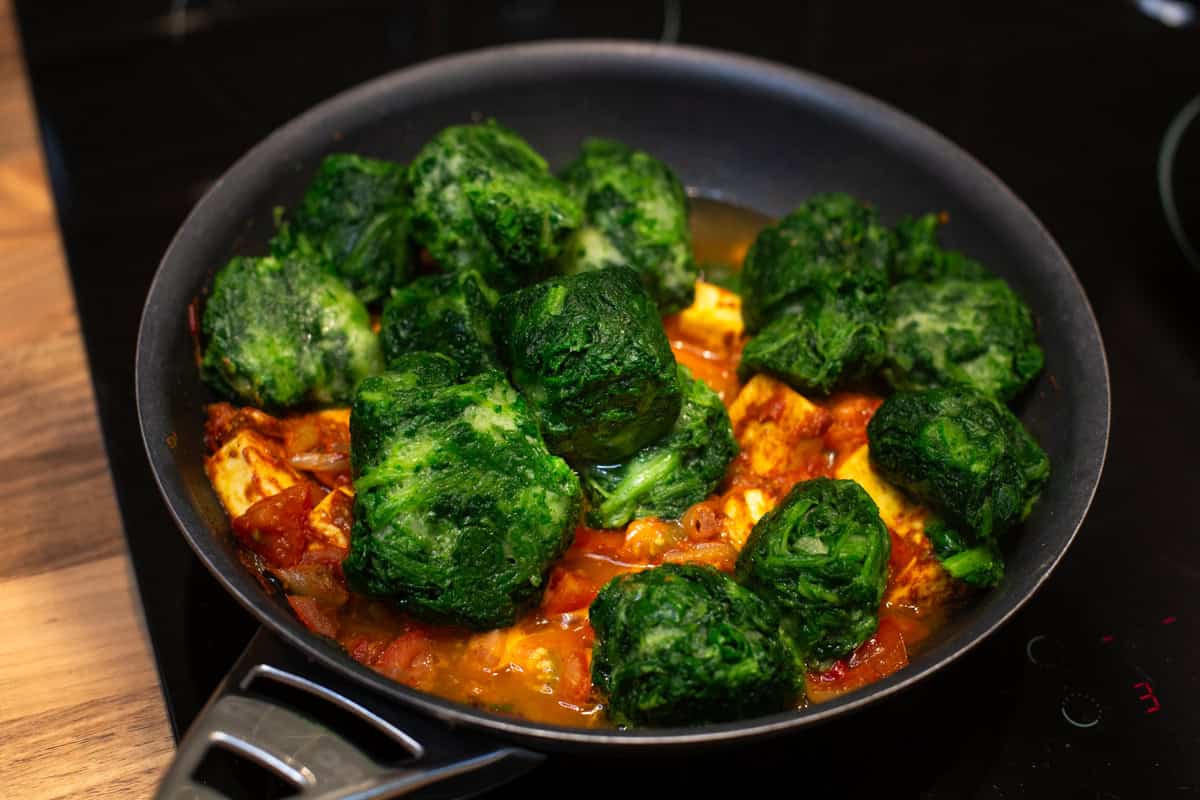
column 821, row 557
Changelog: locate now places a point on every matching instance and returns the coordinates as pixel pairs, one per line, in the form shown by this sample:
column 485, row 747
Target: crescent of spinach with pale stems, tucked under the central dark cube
column 668, row 477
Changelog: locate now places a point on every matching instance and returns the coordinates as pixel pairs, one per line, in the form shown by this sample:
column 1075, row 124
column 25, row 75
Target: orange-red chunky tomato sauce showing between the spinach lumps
column 541, row 667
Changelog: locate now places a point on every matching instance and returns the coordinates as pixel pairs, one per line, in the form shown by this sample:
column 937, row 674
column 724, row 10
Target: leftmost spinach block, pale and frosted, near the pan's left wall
column 281, row 333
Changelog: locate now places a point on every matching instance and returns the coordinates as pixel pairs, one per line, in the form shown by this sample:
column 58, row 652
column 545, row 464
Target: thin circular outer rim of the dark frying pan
column 701, row 64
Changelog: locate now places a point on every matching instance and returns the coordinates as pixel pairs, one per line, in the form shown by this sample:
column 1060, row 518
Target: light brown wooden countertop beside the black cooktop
column 81, row 711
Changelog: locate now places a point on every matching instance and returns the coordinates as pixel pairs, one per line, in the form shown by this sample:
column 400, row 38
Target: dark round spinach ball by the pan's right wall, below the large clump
column 962, row 453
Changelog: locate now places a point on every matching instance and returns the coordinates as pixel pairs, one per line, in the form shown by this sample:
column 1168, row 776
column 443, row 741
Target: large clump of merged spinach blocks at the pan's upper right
column 835, row 297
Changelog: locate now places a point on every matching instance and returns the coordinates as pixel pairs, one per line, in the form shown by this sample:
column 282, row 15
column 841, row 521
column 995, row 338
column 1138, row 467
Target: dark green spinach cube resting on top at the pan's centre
column 590, row 354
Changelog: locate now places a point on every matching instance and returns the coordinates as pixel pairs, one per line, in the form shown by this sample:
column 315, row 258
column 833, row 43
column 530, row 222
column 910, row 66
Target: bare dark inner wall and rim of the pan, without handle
column 735, row 129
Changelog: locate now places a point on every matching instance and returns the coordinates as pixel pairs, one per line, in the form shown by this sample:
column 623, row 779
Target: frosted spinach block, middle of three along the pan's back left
column 484, row 201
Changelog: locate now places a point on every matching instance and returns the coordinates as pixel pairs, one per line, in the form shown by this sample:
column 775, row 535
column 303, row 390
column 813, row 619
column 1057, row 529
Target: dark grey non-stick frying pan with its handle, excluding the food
column 735, row 129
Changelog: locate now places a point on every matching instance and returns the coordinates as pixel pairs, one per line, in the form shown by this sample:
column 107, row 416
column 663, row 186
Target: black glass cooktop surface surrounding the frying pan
column 143, row 105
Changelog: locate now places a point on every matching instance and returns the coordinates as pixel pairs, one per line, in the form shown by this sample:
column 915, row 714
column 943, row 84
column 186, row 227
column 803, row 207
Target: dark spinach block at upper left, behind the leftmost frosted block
column 355, row 220
